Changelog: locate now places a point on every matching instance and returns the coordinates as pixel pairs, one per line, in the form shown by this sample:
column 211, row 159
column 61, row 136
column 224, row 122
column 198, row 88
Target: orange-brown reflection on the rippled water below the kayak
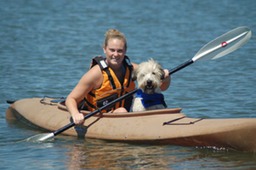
column 118, row 156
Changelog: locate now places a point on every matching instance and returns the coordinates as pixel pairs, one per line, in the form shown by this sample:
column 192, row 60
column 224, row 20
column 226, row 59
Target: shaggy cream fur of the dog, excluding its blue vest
column 149, row 75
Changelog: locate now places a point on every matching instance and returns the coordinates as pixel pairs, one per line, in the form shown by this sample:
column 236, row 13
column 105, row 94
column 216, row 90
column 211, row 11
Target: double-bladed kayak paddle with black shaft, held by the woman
column 215, row 49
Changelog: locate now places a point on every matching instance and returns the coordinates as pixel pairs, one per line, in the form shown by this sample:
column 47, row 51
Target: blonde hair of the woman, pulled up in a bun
column 114, row 33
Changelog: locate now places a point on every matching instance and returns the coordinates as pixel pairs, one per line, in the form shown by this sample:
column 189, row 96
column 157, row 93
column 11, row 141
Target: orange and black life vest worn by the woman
column 111, row 88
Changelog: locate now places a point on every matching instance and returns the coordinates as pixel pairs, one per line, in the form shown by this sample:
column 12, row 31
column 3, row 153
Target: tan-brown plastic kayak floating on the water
column 164, row 126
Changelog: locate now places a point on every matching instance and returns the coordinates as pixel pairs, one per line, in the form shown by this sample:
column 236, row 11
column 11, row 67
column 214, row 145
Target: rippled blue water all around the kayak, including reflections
column 46, row 46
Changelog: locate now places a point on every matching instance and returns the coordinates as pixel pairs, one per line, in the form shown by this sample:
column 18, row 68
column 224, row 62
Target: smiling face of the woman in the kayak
column 115, row 52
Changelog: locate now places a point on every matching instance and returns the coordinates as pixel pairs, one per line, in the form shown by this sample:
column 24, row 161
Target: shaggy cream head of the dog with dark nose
column 149, row 75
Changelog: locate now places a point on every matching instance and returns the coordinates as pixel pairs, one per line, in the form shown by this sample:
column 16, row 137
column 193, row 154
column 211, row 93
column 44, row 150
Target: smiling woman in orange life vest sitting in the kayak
column 107, row 79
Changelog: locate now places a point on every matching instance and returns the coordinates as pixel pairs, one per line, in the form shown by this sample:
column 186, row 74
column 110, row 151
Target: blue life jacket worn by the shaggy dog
column 151, row 99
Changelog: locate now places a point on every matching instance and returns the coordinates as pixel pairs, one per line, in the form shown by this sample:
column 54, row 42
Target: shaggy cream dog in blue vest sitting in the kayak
column 149, row 75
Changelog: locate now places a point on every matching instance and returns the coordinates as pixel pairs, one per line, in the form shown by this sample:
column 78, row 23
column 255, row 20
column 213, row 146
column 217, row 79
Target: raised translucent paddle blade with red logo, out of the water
column 224, row 44
